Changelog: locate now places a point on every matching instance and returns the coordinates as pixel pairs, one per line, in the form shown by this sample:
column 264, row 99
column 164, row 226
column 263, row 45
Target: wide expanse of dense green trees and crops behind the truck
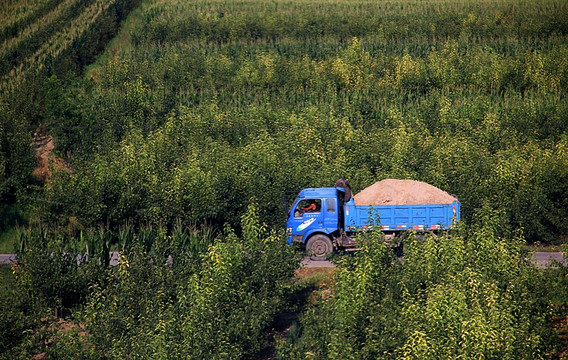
column 211, row 103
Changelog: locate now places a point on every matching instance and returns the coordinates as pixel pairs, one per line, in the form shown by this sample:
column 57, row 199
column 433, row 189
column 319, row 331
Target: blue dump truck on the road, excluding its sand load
column 321, row 220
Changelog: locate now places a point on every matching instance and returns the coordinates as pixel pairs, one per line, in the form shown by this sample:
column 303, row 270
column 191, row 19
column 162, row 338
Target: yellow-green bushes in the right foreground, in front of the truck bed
column 459, row 295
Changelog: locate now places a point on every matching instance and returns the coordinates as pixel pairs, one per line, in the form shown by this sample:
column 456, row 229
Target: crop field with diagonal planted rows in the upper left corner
column 40, row 34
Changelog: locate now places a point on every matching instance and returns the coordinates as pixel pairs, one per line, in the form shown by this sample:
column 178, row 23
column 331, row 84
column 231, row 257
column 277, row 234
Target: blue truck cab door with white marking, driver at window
column 308, row 216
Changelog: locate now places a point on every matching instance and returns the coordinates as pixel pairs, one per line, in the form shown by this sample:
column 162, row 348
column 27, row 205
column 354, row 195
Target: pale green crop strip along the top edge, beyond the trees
column 223, row 22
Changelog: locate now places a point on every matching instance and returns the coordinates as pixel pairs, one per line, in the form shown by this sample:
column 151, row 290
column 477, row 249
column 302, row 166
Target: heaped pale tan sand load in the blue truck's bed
column 402, row 192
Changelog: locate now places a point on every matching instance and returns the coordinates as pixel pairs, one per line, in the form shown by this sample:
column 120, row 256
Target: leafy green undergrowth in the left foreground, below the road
column 160, row 302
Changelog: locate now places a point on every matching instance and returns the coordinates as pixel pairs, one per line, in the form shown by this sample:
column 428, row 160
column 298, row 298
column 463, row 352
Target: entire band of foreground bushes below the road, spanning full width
column 185, row 293
